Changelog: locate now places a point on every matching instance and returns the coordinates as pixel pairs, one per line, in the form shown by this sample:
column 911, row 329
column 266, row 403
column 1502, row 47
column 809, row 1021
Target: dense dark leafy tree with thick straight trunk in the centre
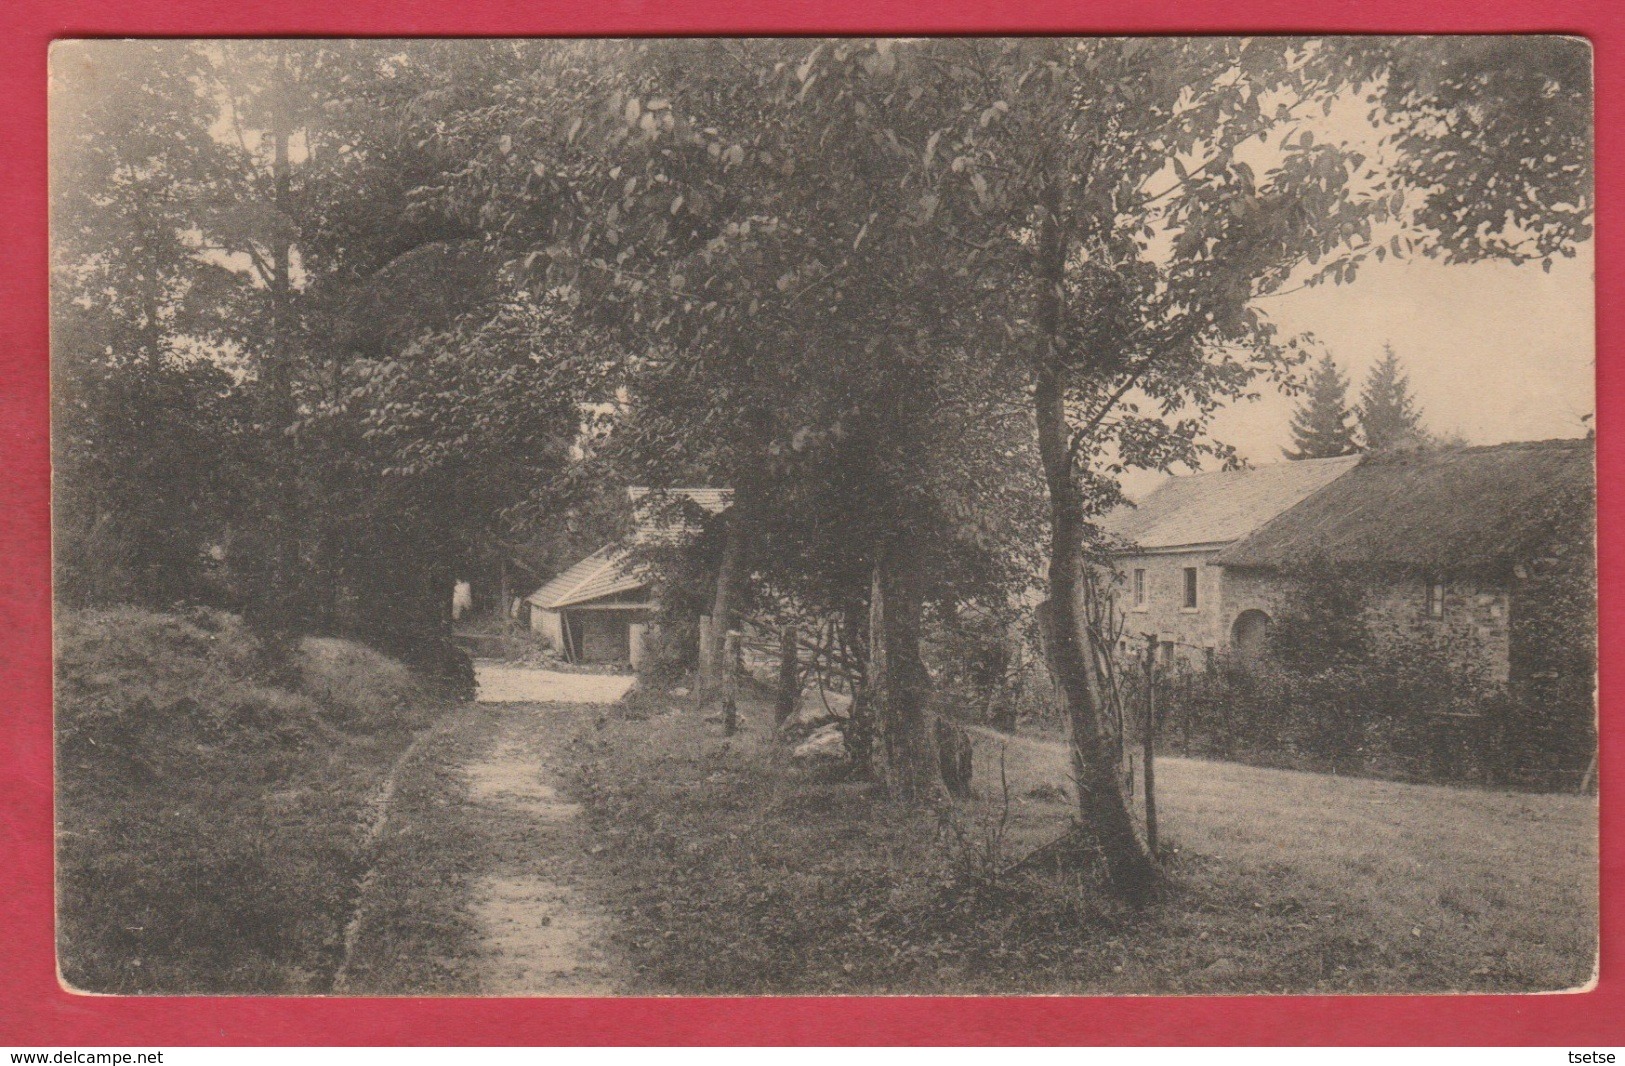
column 737, row 235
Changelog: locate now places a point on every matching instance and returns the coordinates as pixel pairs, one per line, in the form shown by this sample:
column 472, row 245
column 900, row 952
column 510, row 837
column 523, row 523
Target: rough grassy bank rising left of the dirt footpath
column 214, row 807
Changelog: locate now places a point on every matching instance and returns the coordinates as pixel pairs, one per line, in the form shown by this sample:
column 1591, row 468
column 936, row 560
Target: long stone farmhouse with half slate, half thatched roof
column 1447, row 542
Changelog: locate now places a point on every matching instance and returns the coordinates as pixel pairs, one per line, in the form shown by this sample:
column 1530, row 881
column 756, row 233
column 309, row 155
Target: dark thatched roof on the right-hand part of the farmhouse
column 1432, row 511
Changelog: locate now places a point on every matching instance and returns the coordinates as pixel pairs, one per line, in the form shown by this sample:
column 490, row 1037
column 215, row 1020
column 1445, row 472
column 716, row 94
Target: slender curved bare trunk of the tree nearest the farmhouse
column 1104, row 807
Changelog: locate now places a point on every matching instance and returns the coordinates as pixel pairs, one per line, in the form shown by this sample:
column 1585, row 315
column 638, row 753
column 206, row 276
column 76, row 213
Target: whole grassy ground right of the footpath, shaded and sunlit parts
column 735, row 873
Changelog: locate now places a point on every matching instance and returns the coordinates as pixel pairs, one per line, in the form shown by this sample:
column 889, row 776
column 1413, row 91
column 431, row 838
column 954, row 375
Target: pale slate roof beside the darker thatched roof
column 1223, row 506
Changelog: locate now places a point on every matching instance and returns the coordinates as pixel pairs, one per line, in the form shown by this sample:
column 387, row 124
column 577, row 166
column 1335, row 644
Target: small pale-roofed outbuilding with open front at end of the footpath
column 602, row 609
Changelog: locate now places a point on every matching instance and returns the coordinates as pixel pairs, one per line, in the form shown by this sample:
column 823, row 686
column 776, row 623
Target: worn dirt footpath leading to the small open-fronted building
column 482, row 880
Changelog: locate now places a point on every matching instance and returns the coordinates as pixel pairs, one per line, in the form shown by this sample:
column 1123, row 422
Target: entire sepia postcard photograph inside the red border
column 825, row 516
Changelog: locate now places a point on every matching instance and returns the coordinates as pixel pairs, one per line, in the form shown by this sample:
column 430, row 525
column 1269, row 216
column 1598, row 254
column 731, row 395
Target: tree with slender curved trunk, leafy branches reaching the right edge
column 1137, row 238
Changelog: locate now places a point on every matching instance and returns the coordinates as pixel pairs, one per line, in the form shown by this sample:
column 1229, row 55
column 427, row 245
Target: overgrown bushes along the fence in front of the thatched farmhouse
column 1330, row 695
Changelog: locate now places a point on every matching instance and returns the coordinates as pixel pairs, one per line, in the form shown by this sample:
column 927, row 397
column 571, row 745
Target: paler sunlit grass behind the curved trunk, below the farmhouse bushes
column 1510, row 878
